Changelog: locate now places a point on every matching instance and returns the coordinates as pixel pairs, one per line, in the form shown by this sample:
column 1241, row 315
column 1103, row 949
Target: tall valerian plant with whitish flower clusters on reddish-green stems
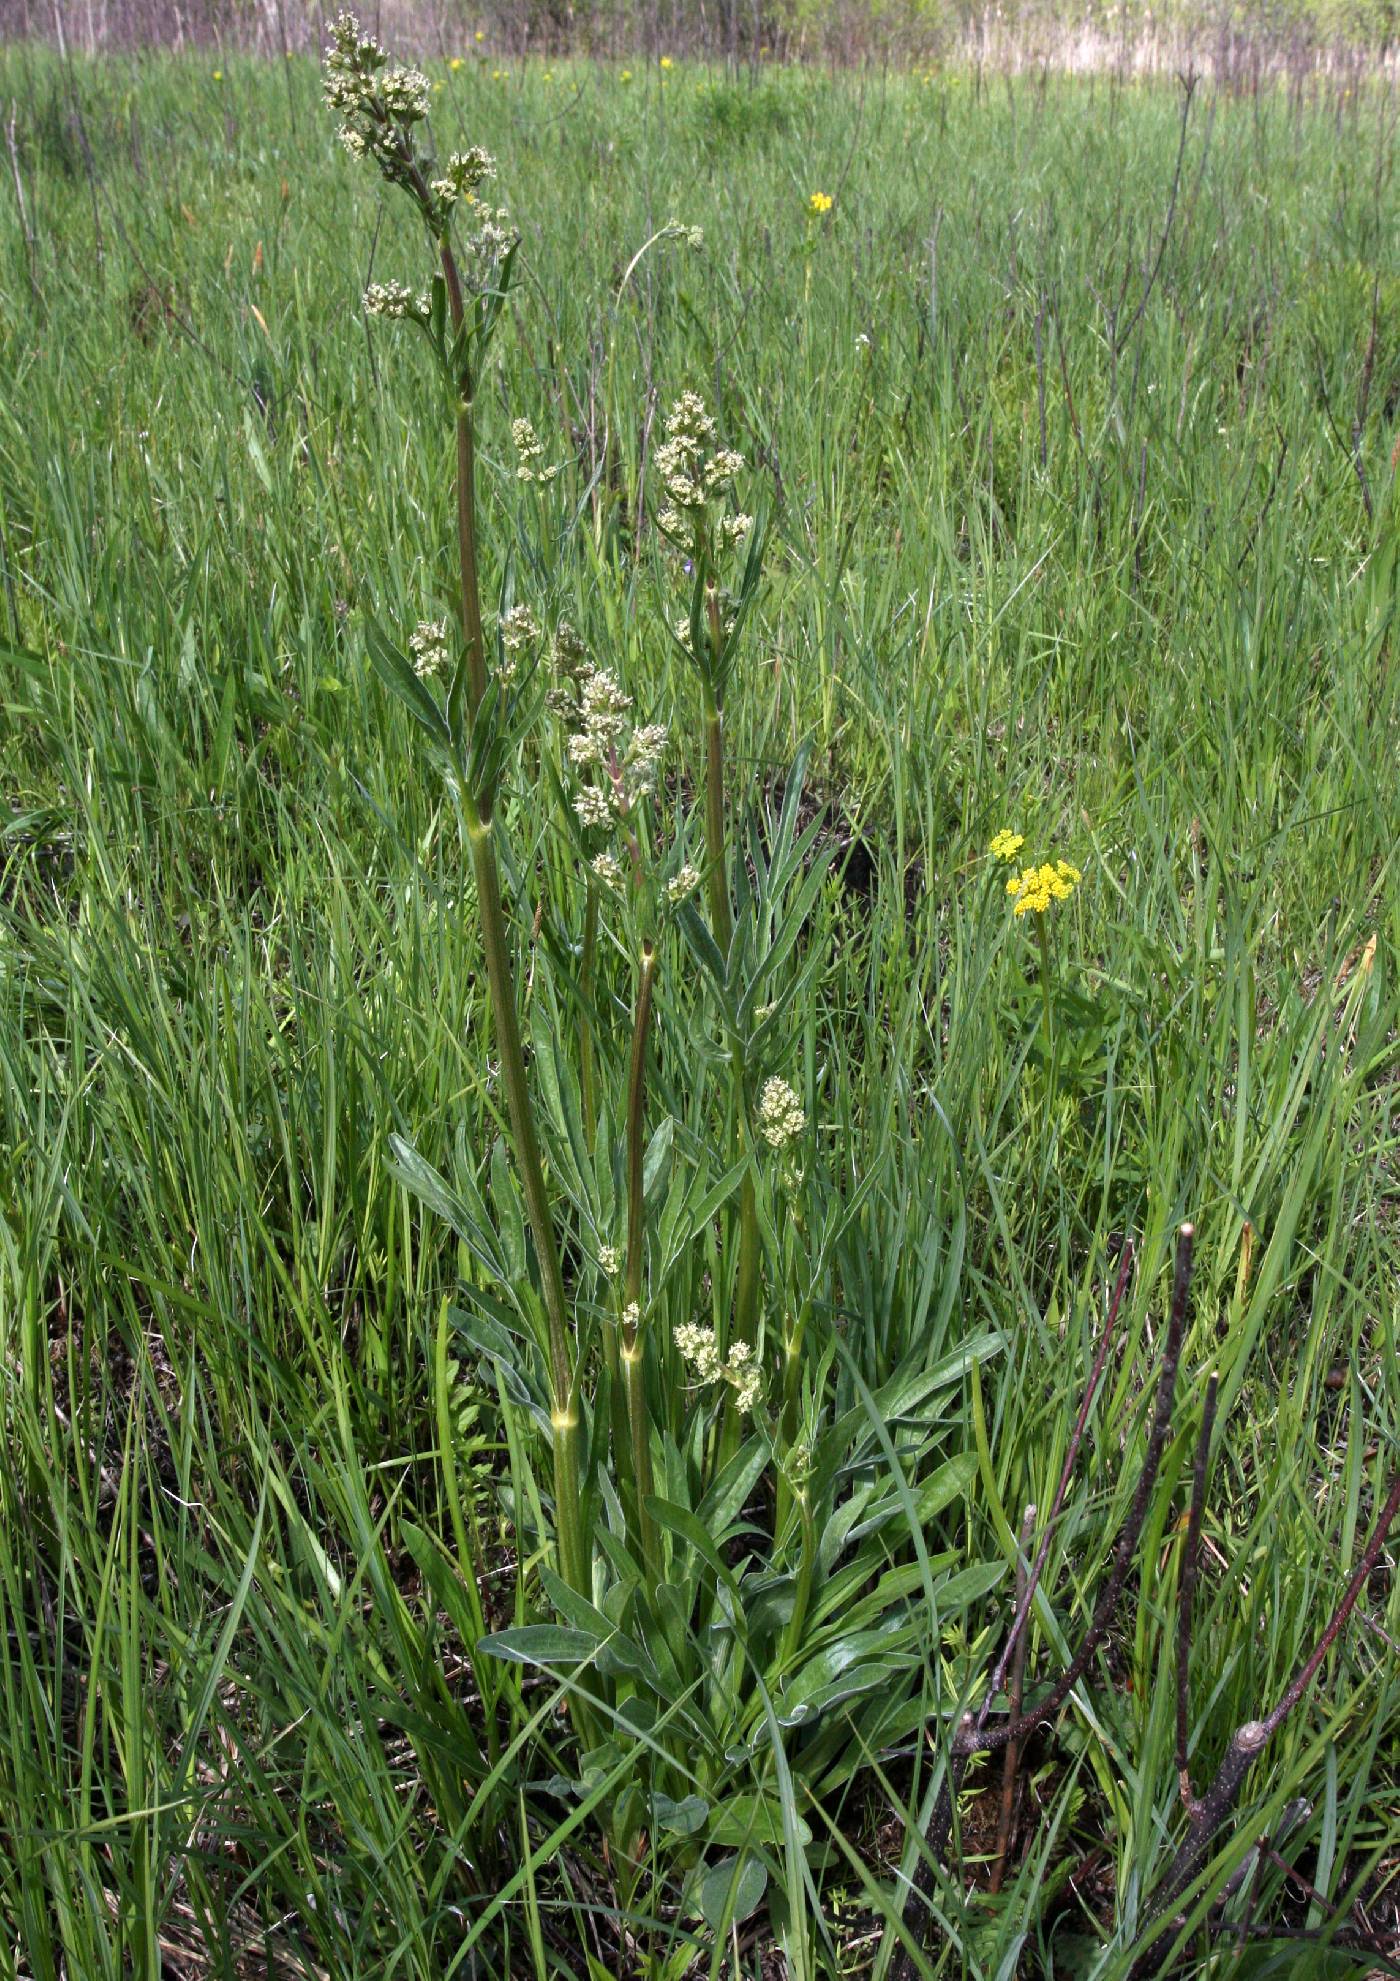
column 720, row 1520
